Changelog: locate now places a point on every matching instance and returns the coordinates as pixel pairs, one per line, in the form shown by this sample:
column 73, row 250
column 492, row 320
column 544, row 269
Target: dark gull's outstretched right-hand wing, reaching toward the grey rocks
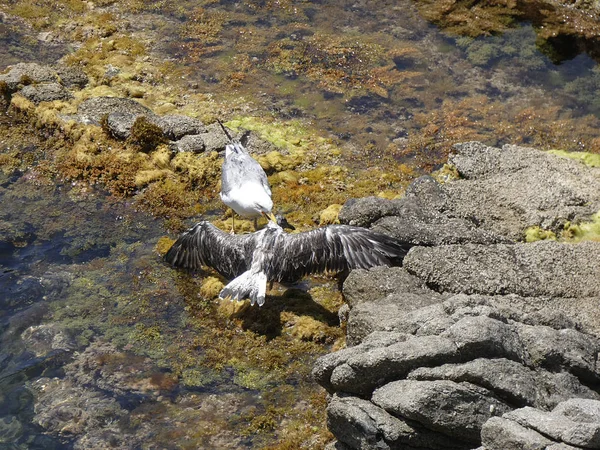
column 335, row 248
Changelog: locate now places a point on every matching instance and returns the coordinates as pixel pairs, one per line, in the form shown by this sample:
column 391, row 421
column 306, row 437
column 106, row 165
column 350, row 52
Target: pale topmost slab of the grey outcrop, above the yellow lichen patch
column 510, row 189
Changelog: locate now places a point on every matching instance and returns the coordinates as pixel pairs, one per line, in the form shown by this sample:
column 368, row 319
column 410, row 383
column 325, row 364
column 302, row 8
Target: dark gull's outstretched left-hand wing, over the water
column 206, row 245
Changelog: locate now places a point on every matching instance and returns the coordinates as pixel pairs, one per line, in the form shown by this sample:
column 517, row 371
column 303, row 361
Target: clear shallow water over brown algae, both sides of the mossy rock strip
column 89, row 311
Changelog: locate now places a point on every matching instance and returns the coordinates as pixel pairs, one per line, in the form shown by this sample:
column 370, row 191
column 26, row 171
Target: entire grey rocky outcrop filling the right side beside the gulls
column 480, row 339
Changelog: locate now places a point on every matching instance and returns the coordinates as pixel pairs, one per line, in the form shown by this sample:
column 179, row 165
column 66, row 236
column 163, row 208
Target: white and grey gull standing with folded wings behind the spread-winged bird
column 244, row 184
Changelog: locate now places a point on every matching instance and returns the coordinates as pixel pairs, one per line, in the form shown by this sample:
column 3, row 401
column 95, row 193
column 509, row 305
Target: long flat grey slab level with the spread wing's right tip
column 544, row 268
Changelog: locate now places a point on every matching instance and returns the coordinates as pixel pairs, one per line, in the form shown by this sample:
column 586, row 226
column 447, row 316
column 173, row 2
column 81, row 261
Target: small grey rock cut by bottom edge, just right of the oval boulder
column 499, row 433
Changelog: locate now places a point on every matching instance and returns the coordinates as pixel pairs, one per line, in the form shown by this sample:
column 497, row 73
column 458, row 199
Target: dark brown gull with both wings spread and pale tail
column 274, row 255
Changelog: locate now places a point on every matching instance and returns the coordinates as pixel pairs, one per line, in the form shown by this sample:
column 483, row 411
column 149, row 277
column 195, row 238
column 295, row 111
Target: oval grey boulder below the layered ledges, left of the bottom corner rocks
column 454, row 409
